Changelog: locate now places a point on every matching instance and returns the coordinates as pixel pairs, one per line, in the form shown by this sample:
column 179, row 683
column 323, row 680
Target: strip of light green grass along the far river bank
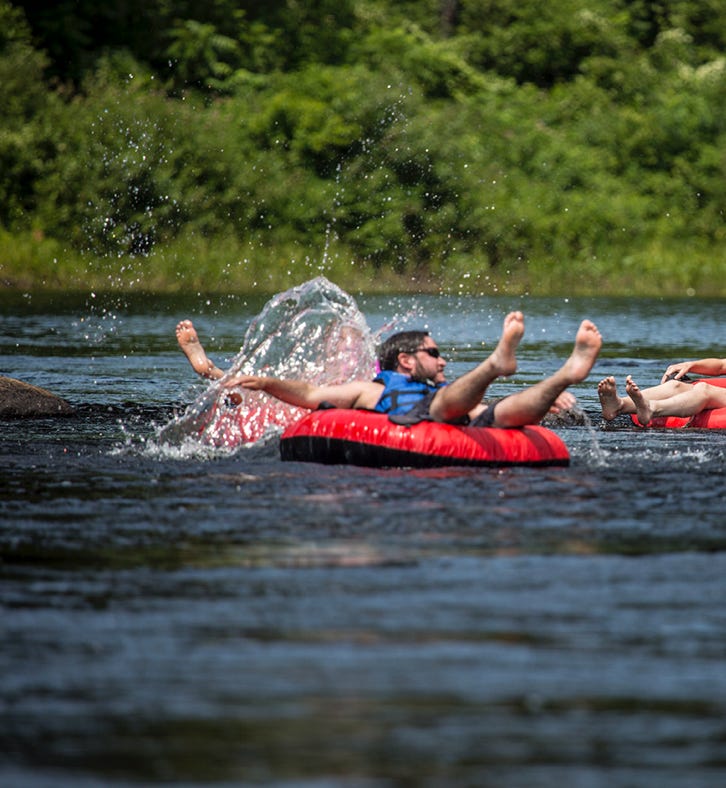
column 169, row 272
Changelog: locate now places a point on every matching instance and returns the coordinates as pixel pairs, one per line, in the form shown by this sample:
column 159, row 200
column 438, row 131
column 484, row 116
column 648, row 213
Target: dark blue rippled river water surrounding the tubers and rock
column 192, row 616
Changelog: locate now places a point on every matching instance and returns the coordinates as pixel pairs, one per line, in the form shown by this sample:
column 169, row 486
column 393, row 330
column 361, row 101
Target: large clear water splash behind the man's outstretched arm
column 313, row 332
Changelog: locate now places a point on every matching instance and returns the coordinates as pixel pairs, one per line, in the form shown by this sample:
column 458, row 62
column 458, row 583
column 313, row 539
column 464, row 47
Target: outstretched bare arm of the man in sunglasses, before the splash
column 358, row 394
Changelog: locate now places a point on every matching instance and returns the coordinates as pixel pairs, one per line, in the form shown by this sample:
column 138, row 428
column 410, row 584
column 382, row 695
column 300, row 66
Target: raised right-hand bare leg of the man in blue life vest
column 531, row 405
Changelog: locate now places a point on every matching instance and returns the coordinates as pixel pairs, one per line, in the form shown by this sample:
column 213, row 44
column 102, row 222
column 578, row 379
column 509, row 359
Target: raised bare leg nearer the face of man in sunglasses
column 466, row 392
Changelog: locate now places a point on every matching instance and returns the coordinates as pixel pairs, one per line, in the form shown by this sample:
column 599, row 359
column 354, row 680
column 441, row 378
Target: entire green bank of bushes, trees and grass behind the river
column 437, row 146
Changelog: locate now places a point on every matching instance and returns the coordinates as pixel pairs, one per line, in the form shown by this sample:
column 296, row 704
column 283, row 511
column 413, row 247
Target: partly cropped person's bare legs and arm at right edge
column 674, row 396
